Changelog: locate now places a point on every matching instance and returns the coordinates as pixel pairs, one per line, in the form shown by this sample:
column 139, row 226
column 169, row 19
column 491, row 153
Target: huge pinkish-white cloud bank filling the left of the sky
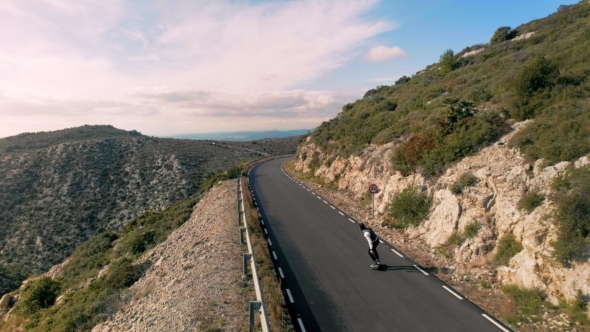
column 148, row 63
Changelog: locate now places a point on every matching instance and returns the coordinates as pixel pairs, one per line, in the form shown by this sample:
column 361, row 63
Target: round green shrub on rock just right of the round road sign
column 410, row 207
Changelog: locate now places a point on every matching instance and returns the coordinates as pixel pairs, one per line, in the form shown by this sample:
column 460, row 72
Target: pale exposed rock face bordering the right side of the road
column 503, row 176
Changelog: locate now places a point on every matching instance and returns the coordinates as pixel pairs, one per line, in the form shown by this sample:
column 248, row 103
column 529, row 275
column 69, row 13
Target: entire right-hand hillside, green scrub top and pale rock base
column 482, row 162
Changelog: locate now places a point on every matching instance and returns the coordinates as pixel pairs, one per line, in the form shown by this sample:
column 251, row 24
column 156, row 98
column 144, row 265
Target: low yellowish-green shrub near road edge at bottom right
column 527, row 304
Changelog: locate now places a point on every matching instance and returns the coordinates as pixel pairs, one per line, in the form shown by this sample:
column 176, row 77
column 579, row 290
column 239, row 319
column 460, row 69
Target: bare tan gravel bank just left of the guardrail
column 195, row 281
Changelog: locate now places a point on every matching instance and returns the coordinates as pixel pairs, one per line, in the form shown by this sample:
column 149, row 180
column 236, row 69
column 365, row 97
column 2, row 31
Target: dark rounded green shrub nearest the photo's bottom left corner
column 38, row 294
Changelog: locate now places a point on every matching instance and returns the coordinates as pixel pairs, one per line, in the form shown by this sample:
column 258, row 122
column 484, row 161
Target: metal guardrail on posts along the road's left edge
column 257, row 305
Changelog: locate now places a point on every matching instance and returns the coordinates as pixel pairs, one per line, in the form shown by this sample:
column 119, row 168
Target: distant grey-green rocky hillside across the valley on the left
column 59, row 188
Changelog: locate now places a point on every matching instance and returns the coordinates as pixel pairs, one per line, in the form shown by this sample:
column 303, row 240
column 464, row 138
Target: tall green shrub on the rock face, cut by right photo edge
column 572, row 194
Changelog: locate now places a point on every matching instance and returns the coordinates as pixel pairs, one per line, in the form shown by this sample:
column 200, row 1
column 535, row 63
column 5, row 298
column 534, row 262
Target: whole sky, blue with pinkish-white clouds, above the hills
column 194, row 66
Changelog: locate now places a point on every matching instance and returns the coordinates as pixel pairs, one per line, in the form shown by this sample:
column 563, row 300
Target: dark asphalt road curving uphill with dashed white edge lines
column 321, row 256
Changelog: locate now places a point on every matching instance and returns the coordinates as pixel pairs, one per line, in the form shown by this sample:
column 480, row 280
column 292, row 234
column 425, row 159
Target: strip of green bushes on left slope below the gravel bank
column 89, row 299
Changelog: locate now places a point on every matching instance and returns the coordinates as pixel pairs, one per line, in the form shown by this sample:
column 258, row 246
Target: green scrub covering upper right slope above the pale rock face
column 542, row 77
